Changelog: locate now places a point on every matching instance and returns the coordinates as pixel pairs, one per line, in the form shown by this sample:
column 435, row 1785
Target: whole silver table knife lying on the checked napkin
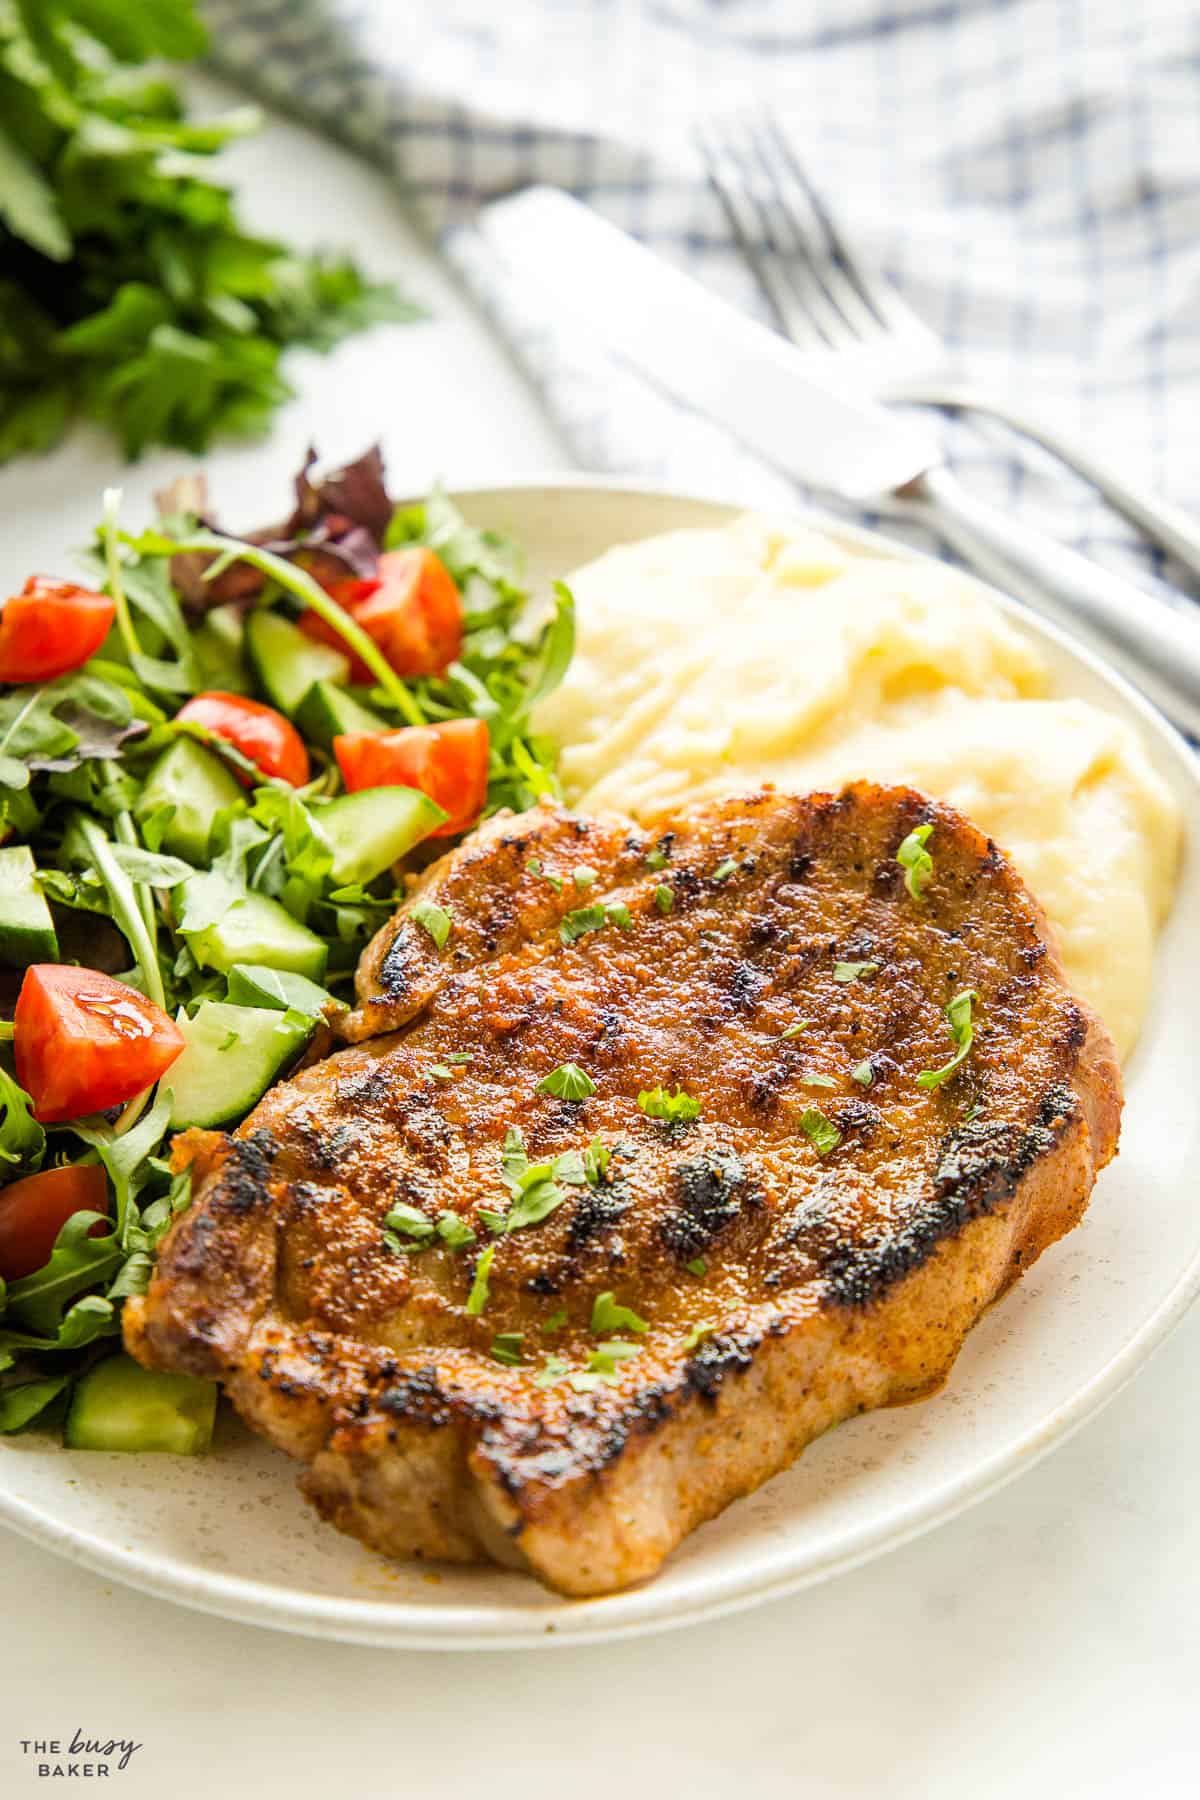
column 758, row 386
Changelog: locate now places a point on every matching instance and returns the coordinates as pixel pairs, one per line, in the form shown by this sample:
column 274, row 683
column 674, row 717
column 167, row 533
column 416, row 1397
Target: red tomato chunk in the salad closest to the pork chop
column 447, row 762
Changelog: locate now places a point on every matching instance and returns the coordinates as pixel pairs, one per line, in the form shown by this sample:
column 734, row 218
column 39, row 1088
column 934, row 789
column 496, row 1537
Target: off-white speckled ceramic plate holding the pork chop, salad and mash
column 229, row 1533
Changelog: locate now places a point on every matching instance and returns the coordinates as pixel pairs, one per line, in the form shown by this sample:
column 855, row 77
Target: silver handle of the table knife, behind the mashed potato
column 1152, row 643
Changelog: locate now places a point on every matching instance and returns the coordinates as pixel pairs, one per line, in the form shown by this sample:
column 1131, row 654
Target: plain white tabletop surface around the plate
column 1043, row 1644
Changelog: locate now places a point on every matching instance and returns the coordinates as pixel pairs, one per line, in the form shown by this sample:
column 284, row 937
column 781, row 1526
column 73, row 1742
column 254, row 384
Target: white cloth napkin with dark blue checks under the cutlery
column 1026, row 170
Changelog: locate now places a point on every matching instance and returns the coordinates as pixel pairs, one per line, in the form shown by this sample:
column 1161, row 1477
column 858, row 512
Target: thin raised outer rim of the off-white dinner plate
column 785, row 1570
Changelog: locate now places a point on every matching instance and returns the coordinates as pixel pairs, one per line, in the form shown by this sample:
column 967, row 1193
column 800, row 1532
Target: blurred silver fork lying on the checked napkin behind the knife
column 834, row 307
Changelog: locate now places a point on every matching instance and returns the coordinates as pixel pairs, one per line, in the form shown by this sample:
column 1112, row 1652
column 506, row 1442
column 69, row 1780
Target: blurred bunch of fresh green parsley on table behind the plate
column 129, row 291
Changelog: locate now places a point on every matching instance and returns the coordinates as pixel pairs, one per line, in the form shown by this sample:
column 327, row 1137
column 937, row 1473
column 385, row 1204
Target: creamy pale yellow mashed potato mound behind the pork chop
column 721, row 660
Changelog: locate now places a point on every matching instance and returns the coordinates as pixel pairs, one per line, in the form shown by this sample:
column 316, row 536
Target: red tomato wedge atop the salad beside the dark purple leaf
column 413, row 611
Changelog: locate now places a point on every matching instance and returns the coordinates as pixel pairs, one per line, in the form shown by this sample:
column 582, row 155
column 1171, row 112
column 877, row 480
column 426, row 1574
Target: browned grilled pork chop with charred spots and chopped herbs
column 663, row 1317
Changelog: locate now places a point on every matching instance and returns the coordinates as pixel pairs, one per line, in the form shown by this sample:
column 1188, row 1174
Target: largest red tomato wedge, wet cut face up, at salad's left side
column 85, row 1043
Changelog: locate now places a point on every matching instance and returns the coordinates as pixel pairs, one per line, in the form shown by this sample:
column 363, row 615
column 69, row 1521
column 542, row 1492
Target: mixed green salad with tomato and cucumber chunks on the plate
column 204, row 823
